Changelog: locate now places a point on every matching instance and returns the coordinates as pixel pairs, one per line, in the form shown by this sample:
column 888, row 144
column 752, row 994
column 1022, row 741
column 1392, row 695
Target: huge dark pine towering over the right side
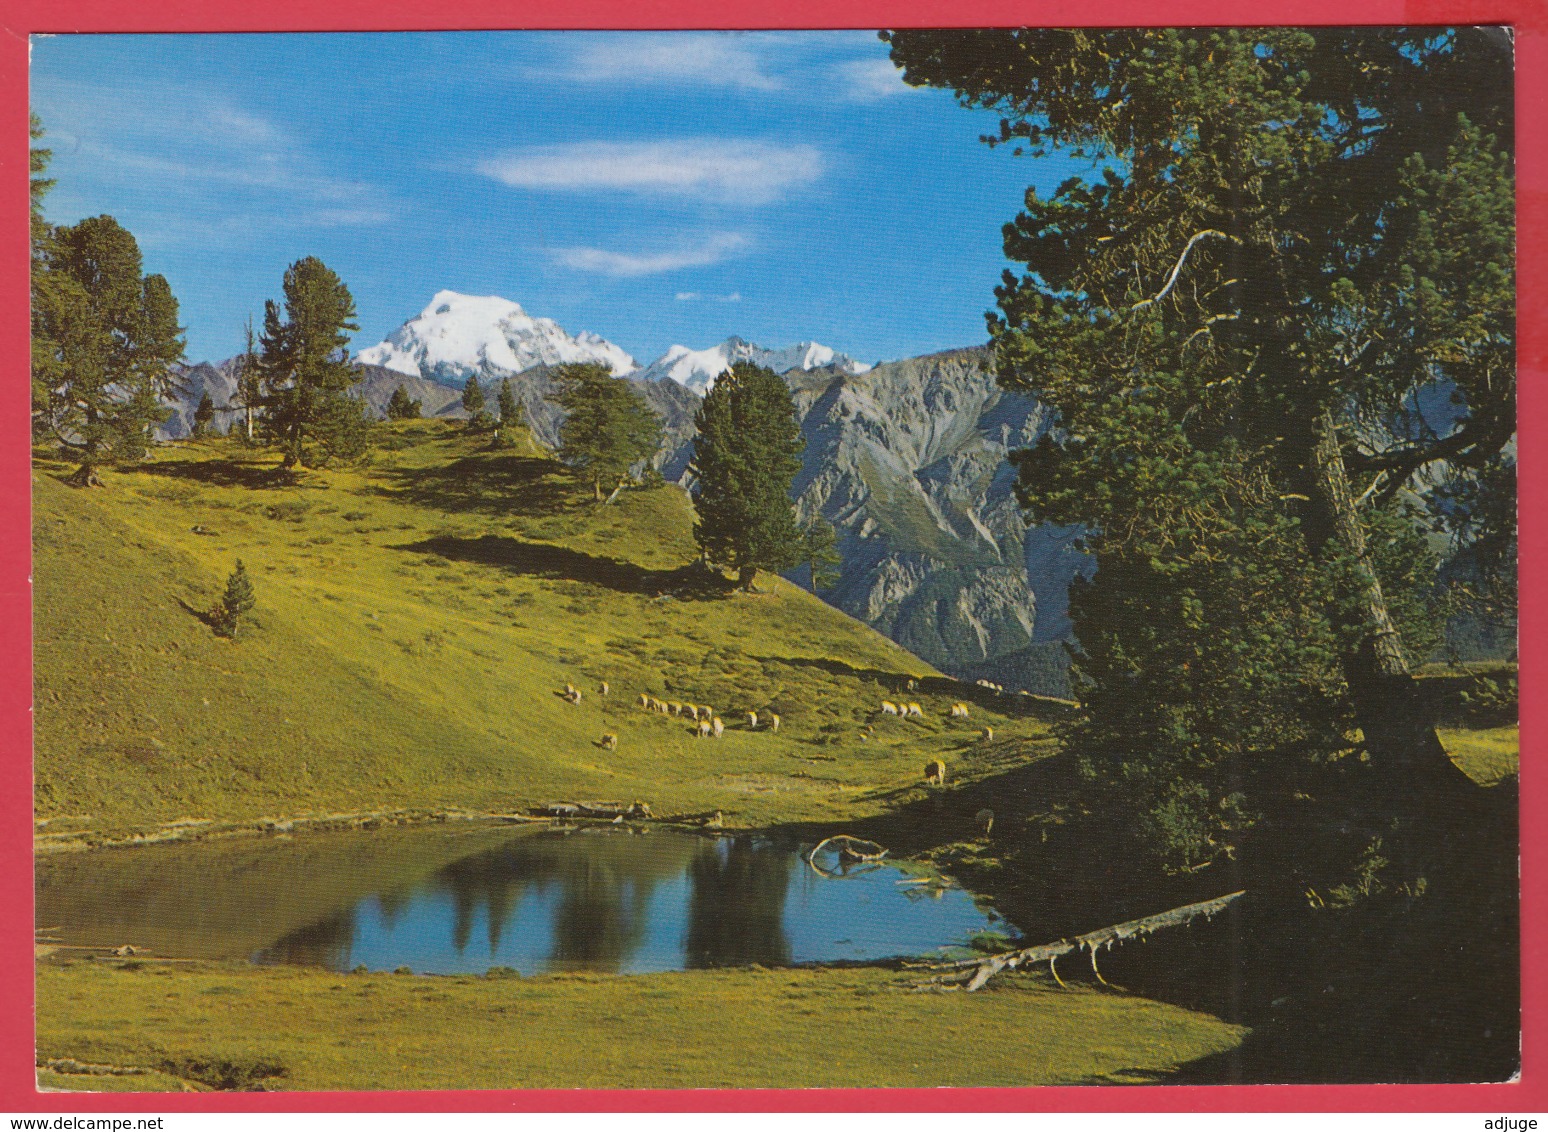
column 1295, row 239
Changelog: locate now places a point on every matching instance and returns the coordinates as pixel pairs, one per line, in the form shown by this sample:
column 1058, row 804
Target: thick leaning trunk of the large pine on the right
column 1399, row 726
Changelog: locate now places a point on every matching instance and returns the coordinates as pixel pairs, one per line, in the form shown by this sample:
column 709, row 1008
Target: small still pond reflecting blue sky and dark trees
column 586, row 899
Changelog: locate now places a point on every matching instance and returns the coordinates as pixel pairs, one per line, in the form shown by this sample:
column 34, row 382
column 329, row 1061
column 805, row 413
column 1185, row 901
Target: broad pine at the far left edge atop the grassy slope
column 106, row 346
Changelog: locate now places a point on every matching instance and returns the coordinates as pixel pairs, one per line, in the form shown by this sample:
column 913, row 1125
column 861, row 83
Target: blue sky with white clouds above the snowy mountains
column 654, row 188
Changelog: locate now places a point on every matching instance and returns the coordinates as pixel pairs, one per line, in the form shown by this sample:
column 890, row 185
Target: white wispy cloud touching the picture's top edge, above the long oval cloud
column 708, row 60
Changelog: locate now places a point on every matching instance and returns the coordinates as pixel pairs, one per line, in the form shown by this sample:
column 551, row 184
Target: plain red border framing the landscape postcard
column 26, row 18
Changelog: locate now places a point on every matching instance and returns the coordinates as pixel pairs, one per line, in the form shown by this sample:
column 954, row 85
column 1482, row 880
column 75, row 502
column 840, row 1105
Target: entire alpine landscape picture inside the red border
column 448, row 701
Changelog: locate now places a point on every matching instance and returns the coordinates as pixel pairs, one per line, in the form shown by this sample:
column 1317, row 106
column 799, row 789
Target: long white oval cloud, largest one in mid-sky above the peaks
column 725, row 170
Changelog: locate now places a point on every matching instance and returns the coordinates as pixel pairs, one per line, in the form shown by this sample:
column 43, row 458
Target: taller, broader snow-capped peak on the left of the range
column 457, row 335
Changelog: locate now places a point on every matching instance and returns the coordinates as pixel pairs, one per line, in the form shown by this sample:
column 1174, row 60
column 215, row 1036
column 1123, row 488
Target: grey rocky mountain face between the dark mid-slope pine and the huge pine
column 908, row 462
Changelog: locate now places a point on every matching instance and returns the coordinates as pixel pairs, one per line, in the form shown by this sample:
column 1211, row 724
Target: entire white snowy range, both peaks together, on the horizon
column 487, row 337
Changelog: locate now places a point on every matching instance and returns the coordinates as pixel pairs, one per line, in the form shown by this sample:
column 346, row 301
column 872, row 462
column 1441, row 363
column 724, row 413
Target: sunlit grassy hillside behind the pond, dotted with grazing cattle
column 417, row 620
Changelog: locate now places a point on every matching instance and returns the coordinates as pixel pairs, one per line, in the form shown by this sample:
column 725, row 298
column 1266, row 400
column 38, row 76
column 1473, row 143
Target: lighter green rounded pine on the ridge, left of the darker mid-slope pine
column 608, row 427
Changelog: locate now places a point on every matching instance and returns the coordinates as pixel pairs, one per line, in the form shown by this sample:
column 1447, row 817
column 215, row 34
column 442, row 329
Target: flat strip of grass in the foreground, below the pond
column 310, row 1031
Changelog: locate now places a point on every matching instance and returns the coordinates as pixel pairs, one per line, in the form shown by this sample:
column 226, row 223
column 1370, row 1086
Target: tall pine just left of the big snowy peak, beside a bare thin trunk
column 306, row 366
